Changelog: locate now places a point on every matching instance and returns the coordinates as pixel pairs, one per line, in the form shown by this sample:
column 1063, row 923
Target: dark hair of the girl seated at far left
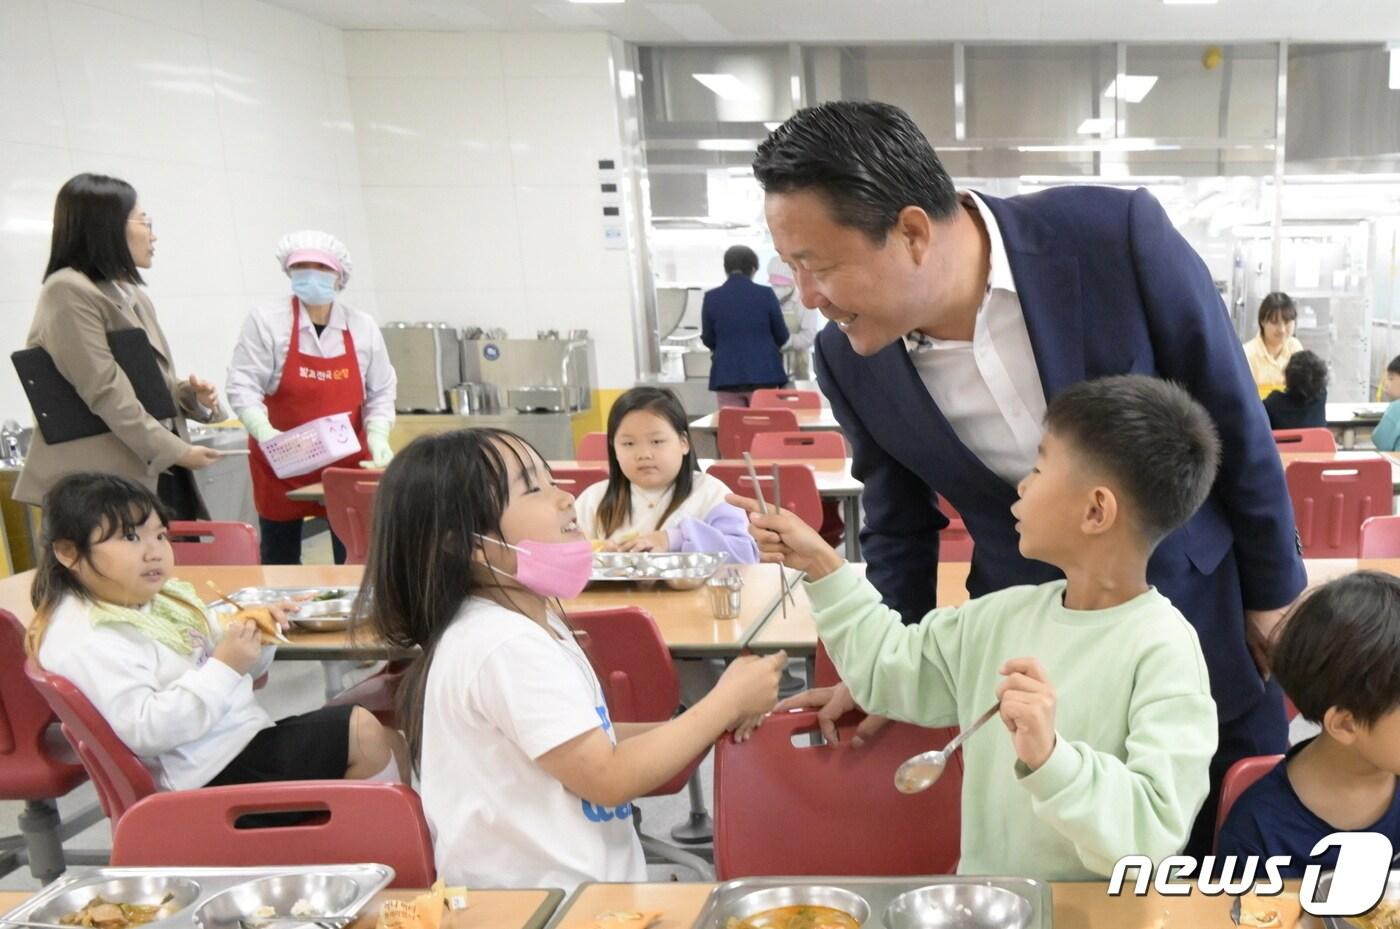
column 75, row 511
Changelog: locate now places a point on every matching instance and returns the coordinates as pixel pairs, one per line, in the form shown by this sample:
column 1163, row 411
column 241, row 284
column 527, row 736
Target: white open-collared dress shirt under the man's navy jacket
column 989, row 388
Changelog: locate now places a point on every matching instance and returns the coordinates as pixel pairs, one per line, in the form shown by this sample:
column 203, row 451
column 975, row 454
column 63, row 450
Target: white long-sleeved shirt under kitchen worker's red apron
column 255, row 371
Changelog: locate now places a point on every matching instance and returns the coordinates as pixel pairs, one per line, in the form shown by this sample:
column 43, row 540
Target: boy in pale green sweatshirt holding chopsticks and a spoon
column 1102, row 685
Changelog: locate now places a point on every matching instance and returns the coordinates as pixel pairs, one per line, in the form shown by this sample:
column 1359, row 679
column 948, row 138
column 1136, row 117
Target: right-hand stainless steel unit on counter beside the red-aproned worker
column 534, row 374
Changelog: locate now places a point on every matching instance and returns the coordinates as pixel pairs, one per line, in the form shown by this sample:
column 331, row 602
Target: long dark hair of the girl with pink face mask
column 435, row 499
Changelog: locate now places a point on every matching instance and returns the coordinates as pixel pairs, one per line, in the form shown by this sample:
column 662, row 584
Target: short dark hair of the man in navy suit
column 869, row 162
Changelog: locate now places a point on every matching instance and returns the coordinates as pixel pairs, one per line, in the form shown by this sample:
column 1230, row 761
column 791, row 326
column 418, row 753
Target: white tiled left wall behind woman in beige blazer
column 233, row 121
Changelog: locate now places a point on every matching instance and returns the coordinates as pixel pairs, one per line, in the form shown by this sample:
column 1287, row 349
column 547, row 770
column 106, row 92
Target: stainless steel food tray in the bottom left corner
column 215, row 898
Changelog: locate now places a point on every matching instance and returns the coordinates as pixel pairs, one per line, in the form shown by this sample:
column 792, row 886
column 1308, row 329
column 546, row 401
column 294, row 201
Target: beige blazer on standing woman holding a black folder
column 71, row 322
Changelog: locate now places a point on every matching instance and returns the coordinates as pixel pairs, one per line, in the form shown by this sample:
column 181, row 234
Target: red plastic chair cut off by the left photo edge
column 36, row 767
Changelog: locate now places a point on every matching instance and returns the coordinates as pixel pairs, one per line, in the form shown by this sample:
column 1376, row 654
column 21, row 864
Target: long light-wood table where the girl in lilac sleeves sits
column 682, row 616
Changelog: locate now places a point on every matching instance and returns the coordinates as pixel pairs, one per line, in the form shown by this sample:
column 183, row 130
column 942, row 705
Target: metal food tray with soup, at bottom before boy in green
column 878, row 892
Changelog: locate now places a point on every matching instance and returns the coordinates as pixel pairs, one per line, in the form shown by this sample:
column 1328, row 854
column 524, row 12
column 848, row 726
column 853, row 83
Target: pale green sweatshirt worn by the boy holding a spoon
column 1135, row 718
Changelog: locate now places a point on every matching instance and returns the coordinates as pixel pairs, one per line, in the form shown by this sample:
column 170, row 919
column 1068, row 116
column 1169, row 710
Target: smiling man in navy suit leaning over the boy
column 957, row 317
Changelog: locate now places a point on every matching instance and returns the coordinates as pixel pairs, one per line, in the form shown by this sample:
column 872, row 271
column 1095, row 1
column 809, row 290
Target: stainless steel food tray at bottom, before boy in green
column 870, row 899
